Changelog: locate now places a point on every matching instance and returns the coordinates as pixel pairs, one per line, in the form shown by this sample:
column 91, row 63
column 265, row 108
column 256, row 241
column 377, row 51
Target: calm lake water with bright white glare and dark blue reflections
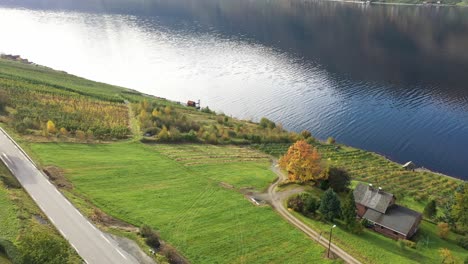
column 390, row 79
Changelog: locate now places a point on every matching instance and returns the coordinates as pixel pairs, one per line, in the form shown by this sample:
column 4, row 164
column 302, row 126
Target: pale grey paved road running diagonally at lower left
column 90, row 243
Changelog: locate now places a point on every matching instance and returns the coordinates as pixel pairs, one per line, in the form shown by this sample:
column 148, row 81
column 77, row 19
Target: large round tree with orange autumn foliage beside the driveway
column 302, row 162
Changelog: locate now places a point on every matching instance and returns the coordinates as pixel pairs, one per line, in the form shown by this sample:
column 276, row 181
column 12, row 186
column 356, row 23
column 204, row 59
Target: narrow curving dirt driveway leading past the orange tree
column 277, row 199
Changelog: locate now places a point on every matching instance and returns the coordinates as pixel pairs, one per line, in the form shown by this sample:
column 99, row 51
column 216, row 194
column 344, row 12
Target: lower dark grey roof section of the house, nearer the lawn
column 397, row 218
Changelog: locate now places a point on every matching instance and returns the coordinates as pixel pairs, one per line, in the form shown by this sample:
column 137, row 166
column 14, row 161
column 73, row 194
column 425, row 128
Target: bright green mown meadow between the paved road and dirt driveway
column 180, row 194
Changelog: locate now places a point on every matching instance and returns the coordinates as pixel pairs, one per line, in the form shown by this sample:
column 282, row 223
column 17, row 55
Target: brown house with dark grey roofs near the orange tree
column 379, row 208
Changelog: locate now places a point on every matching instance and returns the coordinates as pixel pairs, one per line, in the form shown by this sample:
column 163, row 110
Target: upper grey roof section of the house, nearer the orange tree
column 372, row 198
